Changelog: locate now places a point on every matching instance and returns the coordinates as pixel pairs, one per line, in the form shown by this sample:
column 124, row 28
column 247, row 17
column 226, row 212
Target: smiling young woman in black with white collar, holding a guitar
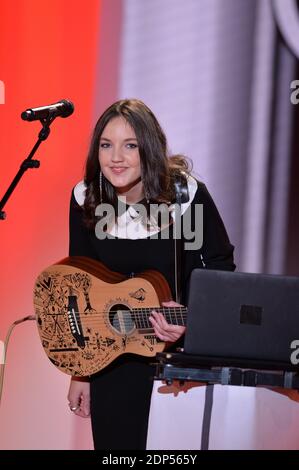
column 128, row 167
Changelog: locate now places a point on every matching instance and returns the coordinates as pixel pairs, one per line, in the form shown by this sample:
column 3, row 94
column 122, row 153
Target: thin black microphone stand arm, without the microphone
column 28, row 163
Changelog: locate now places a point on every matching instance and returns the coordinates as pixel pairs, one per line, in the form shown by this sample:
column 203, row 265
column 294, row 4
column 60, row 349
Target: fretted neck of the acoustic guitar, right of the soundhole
column 173, row 315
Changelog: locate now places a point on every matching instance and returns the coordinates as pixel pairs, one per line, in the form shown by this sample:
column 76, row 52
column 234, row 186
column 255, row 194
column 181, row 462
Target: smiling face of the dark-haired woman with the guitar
column 119, row 155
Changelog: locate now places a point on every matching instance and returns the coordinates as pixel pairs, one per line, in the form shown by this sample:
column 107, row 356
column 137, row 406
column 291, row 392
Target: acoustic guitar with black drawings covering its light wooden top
column 87, row 315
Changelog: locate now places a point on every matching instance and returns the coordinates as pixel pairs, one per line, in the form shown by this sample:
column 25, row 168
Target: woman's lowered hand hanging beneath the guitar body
column 79, row 396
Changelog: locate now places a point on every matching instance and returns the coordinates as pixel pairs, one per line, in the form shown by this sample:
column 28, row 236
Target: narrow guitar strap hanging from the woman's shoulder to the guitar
column 182, row 196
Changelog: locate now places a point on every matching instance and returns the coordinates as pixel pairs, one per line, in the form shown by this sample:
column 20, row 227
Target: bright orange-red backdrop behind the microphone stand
column 47, row 52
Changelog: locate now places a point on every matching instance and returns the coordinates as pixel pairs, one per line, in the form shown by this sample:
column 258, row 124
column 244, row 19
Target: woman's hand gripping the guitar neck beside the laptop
column 163, row 330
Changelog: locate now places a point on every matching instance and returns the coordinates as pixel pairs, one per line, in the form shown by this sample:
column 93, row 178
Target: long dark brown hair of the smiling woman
column 158, row 170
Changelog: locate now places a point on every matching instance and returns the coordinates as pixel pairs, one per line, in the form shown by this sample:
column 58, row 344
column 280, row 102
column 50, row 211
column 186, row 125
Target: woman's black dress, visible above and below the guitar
column 121, row 393
